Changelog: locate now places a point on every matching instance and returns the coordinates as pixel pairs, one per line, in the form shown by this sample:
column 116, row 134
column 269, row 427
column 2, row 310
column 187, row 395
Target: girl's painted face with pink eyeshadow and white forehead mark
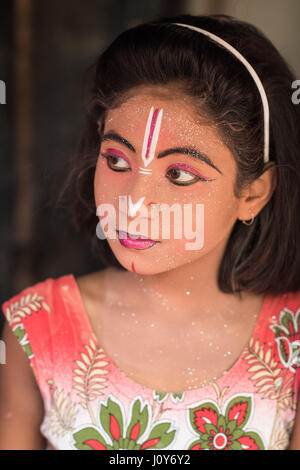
column 156, row 154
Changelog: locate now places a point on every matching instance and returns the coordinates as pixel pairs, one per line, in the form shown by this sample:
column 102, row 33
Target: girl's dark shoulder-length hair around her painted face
column 263, row 257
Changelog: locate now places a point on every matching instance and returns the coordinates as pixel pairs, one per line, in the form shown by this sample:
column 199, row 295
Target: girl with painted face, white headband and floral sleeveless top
column 187, row 339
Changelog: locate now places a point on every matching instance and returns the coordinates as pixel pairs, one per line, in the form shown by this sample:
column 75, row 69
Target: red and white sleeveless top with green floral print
column 91, row 404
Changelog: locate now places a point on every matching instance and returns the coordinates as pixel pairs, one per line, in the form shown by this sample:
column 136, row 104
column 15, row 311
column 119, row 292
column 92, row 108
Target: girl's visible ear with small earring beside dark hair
column 258, row 193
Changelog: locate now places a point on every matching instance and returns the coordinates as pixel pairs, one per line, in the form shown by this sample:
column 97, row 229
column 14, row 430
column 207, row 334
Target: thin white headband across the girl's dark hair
column 254, row 76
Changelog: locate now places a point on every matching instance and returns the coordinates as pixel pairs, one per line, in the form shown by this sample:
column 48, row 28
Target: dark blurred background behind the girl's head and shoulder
column 45, row 48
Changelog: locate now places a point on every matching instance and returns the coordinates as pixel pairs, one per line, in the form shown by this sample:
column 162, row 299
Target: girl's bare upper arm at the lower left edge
column 21, row 403
